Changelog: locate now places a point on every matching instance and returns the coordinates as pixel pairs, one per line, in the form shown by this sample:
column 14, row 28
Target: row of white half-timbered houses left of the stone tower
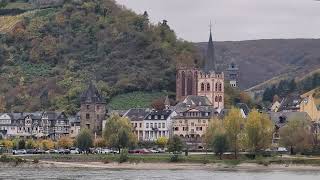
column 34, row 125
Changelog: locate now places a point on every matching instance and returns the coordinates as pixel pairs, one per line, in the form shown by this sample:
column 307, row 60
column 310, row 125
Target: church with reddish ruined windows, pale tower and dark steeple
column 206, row 81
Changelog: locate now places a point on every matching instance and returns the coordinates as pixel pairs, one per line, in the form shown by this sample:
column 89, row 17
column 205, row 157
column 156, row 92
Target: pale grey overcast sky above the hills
column 234, row 19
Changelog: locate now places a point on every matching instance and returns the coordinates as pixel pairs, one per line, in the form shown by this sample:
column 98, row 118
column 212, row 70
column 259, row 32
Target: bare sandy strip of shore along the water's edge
column 165, row 166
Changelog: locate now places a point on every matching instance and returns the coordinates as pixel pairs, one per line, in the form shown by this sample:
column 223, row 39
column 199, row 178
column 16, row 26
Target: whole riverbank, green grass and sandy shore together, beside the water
column 162, row 162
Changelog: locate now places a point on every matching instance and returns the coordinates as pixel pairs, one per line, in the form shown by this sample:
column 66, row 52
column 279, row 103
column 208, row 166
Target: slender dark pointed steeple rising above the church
column 209, row 64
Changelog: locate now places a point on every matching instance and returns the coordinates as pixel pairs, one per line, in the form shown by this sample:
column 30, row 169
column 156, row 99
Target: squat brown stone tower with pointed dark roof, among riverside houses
column 92, row 110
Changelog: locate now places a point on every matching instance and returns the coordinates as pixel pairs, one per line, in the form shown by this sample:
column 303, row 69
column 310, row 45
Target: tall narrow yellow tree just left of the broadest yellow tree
column 233, row 124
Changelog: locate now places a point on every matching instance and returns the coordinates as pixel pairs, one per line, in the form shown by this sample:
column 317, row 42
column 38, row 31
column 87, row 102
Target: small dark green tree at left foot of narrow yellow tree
column 220, row 143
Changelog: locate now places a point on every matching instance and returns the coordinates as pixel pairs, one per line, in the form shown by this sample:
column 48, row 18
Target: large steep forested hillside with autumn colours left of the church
column 49, row 53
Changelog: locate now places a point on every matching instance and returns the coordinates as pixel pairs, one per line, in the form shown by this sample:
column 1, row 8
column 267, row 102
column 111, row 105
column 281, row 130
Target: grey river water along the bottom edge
column 93, row 174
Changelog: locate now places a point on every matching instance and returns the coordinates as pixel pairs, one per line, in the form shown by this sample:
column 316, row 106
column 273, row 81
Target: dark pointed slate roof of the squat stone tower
column 91, row 95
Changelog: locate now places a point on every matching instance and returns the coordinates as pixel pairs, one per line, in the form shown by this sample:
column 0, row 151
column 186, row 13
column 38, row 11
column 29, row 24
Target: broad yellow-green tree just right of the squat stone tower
column 118, row 132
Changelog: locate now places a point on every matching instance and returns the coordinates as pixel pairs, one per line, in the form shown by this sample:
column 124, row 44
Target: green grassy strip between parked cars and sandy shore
column 165, row 158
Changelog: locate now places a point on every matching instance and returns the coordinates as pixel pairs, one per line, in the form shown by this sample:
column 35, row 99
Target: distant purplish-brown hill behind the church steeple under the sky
column 262, row 60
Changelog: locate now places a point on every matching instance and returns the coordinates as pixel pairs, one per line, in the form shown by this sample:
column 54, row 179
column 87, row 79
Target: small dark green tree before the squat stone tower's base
column 84, row 140
